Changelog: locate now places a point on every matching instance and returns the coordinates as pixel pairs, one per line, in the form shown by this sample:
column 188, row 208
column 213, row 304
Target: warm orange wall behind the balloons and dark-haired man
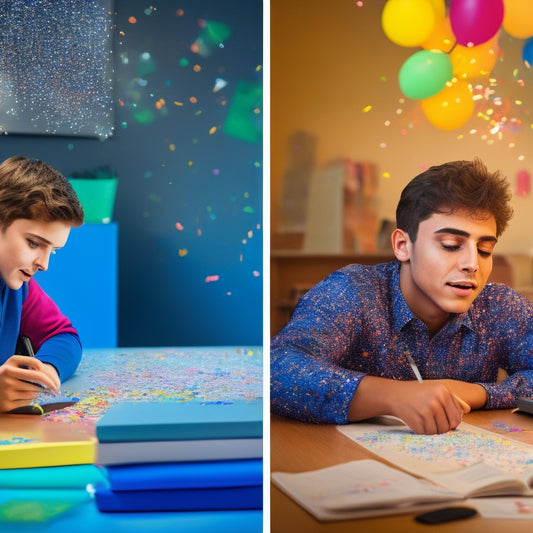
column 330, row 60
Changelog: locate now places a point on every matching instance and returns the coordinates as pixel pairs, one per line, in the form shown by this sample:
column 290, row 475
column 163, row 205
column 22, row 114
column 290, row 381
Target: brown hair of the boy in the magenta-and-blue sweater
column 32, row 189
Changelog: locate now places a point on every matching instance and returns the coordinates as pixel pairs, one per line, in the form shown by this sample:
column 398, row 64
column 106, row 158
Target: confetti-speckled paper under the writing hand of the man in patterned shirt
column 426, row 454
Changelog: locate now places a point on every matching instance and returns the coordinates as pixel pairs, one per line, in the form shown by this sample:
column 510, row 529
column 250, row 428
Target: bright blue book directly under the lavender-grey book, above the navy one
column 194, row 475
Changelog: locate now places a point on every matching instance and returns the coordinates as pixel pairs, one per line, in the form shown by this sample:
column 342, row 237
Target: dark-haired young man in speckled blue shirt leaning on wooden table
column 343, row 355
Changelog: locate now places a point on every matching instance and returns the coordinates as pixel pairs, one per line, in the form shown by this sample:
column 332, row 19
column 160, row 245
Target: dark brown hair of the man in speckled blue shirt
column 452, row 186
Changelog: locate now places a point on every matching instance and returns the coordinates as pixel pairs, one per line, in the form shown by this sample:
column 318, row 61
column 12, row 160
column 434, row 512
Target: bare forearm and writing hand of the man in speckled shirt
column 427, row 408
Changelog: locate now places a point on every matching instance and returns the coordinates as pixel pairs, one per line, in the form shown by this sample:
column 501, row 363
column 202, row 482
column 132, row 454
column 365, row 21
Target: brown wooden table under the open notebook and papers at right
column 298, row 447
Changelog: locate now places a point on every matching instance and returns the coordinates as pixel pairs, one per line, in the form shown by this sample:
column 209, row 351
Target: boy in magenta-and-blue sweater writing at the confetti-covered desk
column 38, row 207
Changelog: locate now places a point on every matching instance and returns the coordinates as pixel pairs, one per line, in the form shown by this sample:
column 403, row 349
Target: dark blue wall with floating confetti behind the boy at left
column 189, row 205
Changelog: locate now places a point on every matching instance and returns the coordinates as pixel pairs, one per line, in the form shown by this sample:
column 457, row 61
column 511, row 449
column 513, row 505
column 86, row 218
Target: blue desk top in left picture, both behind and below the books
column 108, row 376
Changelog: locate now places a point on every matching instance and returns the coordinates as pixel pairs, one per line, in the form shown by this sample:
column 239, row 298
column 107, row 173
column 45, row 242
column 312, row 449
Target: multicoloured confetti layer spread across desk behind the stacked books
column 108, row 376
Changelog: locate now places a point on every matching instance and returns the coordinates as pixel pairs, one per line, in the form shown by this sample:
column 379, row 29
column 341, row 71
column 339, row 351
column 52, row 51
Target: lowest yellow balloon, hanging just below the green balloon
column 451, row 108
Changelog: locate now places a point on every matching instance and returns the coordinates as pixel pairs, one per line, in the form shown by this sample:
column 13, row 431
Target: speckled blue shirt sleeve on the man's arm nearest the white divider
column 308, row 381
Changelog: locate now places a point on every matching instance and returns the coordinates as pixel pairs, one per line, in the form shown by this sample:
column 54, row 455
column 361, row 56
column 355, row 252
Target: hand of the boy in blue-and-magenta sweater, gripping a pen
column 17, row 384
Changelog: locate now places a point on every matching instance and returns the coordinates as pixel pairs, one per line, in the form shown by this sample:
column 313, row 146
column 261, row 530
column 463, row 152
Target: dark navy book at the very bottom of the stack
column 179, row 499
